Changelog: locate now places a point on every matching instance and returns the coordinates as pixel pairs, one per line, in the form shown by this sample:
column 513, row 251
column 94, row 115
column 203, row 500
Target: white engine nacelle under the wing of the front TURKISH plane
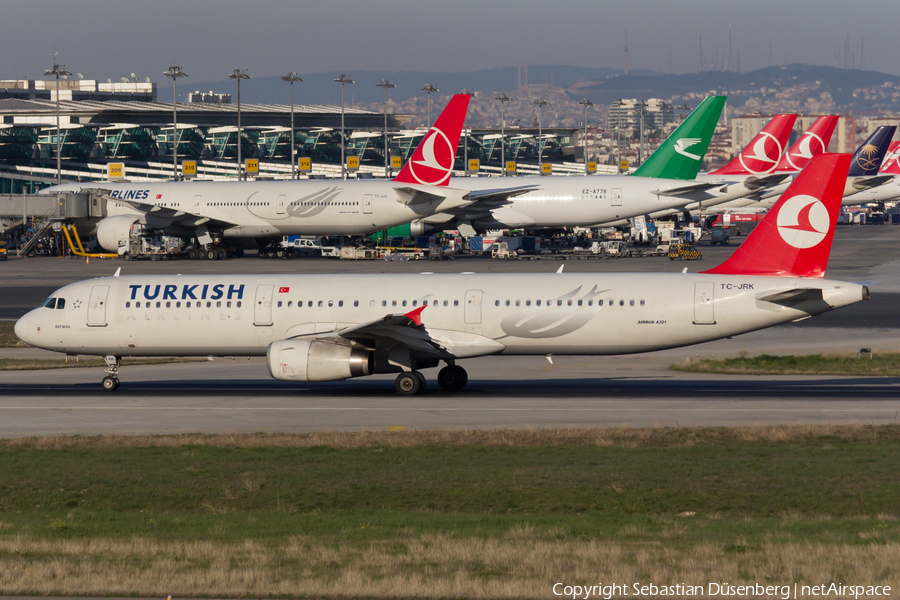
column 314, row 360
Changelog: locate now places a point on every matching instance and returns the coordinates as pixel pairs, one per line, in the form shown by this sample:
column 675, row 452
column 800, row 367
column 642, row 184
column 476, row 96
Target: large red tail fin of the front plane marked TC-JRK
column 794, row 239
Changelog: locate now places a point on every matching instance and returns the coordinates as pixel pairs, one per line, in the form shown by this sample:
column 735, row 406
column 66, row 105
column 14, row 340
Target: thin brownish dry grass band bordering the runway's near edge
column 625, row 437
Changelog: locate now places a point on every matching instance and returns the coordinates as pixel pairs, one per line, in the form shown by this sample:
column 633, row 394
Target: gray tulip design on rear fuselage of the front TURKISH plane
column 557, row 320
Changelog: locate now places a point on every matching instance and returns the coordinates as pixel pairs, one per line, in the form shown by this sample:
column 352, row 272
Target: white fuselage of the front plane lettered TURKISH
column 467, row 314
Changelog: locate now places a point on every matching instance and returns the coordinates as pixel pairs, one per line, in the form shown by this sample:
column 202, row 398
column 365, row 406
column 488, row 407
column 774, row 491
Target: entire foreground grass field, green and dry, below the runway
column 447, row 514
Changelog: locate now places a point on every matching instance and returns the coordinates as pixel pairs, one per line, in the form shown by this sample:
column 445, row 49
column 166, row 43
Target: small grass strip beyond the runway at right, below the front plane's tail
column 880, row 365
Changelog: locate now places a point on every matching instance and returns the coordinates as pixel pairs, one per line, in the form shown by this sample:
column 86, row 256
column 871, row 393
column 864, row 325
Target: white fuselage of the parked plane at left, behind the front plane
column 275, row 208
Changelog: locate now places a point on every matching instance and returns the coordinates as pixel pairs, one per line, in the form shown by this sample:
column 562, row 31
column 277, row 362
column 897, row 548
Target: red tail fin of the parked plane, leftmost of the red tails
column 432, row 162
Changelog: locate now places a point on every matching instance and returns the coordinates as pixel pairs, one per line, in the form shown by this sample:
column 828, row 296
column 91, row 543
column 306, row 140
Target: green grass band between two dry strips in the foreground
column 812, row 476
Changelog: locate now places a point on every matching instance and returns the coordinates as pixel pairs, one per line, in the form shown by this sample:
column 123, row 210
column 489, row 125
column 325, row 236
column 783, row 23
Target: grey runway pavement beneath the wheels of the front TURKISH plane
column 224, row 396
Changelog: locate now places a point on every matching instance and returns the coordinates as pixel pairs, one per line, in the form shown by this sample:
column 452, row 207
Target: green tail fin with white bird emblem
column 679, row 157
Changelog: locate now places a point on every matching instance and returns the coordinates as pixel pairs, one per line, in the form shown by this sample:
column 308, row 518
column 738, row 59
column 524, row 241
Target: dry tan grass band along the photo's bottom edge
column 425, row 566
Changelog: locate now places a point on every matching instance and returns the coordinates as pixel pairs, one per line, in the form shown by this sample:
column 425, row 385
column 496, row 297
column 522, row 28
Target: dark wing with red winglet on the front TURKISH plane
column 403, row 329
